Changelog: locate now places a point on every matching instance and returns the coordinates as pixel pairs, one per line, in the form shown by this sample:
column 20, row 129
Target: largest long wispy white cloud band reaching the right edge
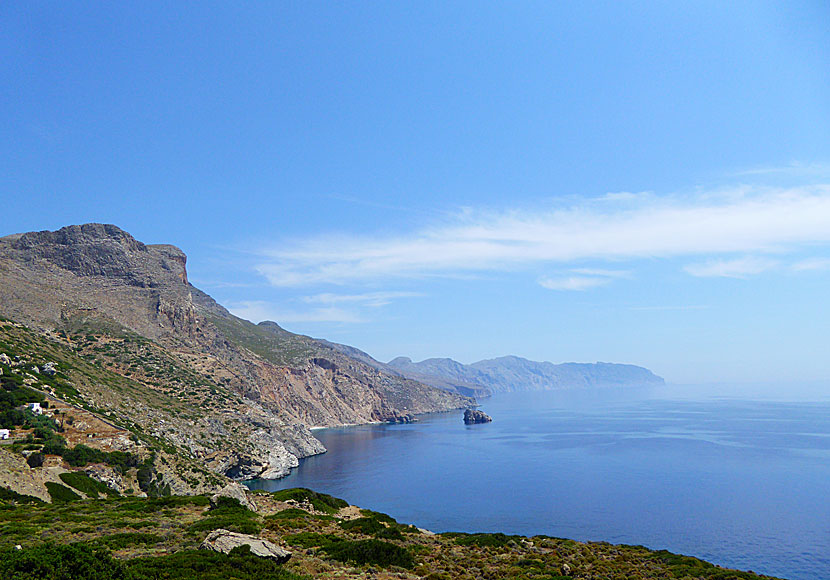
column 741, row 220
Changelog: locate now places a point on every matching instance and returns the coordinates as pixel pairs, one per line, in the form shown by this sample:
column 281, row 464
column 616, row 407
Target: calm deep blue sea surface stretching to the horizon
column 734, row 475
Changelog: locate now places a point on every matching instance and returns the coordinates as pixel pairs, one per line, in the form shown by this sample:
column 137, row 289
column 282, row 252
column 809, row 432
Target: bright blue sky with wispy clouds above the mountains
column 628, row 182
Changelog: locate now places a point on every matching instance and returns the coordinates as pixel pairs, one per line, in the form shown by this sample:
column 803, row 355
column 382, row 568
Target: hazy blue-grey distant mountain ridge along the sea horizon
column 512, row 373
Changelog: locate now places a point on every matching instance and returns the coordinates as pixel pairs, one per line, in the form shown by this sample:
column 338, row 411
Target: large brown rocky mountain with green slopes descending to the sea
column 162, row 360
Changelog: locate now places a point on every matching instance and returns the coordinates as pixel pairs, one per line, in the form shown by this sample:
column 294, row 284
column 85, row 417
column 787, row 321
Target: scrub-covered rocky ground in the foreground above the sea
column 138, row 538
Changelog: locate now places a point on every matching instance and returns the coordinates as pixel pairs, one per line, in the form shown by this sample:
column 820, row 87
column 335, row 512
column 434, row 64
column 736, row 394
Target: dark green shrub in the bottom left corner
column 51, row 562
